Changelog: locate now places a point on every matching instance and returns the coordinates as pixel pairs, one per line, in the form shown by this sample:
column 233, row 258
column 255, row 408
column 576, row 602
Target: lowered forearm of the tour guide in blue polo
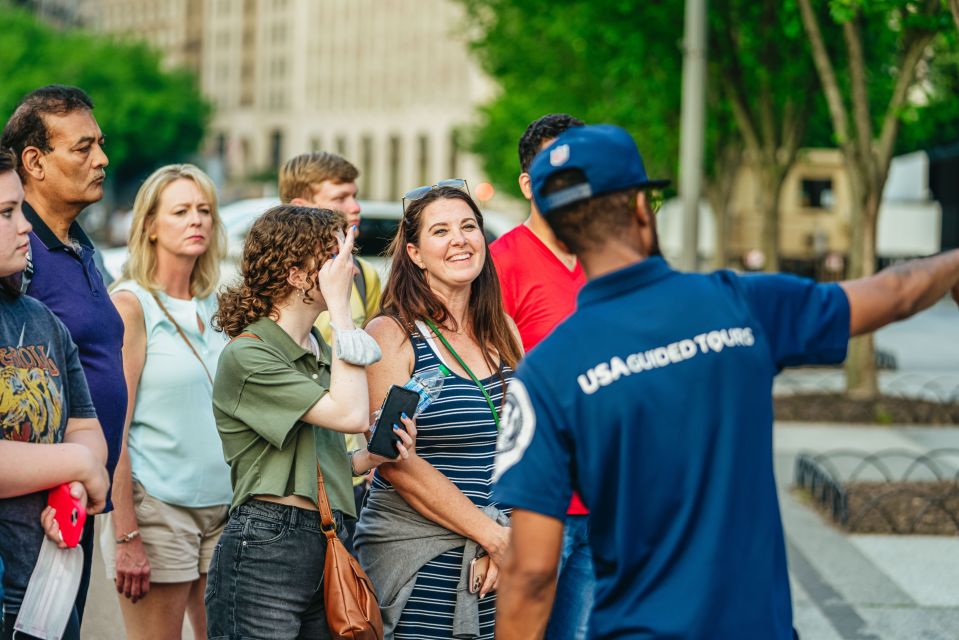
column 528, row 580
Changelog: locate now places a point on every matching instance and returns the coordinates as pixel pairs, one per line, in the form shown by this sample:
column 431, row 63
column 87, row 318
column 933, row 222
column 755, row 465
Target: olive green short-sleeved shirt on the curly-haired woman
column 262, row 389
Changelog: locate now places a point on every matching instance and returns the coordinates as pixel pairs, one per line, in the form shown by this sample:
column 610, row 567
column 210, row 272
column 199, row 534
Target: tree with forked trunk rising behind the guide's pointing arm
column 878, row 67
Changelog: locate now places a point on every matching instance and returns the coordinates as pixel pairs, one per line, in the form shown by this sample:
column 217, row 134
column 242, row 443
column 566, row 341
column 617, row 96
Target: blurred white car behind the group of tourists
column 378, row 224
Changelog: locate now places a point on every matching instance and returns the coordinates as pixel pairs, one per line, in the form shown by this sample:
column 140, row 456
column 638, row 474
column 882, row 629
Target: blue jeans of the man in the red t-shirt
column 569, row 619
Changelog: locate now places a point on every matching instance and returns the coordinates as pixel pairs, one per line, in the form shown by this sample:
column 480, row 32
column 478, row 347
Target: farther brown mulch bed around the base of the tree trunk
column 835, row 407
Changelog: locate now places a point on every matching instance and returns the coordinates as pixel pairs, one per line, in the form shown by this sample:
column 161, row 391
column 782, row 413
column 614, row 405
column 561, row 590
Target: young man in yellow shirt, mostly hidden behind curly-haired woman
column 328, row 181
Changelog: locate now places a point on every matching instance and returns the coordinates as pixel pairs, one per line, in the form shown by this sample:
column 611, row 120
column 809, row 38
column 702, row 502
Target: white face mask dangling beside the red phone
column 52, row 590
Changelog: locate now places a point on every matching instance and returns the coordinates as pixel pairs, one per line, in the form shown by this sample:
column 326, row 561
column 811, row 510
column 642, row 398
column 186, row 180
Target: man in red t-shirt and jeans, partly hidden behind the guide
column 540, row 282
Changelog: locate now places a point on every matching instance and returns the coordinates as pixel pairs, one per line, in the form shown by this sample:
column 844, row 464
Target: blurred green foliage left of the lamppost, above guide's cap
column 602, row 61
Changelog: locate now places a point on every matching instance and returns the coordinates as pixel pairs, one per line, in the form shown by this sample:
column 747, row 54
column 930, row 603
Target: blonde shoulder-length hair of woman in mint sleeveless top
column 142, row 264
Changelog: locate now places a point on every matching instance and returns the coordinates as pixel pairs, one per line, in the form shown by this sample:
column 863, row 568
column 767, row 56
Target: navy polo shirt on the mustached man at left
column 66, row 279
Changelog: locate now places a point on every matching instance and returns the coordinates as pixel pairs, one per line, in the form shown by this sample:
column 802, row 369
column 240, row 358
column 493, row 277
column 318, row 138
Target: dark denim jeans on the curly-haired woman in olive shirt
column 266, row 575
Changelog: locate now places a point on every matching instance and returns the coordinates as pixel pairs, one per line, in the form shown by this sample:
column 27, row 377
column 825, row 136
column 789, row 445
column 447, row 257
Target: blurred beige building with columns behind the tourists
column 388, row 87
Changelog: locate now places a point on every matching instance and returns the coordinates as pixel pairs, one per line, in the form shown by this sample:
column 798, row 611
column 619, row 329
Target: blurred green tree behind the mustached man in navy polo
column 148, row 115
